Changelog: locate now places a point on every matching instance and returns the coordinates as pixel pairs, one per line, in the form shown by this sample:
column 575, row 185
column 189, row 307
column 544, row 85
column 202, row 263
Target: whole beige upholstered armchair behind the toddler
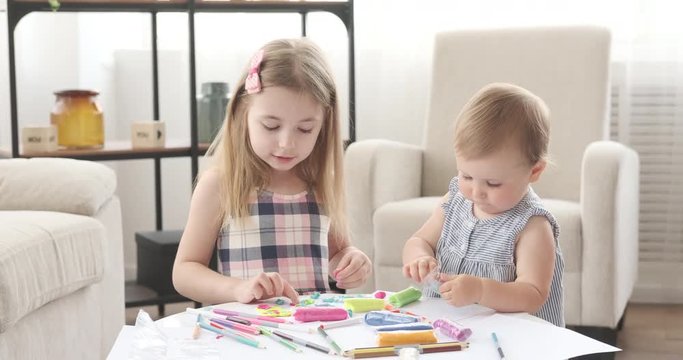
column 592, row 187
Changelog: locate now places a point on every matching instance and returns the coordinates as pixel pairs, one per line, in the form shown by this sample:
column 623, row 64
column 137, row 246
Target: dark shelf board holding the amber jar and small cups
column 120, row 150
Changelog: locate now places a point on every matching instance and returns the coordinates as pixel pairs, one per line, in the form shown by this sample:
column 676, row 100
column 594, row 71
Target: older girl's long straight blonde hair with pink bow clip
column 299, row 65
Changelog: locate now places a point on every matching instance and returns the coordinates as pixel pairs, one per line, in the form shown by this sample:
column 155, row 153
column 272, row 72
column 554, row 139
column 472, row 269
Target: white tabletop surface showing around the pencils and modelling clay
column 518, row 333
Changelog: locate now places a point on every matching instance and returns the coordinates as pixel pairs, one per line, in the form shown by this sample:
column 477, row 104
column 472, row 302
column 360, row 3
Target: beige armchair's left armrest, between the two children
column 378, row 172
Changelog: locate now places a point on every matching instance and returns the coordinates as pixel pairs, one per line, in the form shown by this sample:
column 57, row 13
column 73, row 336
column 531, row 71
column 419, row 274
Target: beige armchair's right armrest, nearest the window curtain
column 609, row 212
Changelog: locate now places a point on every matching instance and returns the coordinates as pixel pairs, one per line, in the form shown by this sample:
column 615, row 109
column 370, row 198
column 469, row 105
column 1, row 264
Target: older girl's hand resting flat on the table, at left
column 264, row 286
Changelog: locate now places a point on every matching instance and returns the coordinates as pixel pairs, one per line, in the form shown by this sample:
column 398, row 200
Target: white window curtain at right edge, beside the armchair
column 647, row 114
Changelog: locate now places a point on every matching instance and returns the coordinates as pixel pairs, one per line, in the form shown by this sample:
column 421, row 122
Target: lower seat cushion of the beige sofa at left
column 45, row 256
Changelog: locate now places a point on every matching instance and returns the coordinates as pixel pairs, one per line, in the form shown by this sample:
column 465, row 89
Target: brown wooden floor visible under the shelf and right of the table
column 652, row 332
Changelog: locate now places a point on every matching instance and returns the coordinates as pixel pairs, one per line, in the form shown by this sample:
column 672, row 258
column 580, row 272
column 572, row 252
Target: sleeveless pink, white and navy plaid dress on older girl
column 286, row 234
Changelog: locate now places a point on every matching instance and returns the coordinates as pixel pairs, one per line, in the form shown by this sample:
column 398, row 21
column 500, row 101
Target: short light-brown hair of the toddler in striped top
column 499, row 113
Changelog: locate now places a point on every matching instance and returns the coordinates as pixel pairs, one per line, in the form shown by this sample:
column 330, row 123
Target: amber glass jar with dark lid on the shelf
column 78, row 118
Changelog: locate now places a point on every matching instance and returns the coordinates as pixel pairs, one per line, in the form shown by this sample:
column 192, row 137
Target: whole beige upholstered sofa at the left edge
column 61, row 259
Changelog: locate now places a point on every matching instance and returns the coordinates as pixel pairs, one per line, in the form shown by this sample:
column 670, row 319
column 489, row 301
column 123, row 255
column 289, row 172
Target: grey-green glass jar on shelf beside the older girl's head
column 211, row 107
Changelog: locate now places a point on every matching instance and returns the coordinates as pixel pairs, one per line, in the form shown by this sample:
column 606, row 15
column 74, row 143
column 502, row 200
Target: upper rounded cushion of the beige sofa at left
column 82, row 187
